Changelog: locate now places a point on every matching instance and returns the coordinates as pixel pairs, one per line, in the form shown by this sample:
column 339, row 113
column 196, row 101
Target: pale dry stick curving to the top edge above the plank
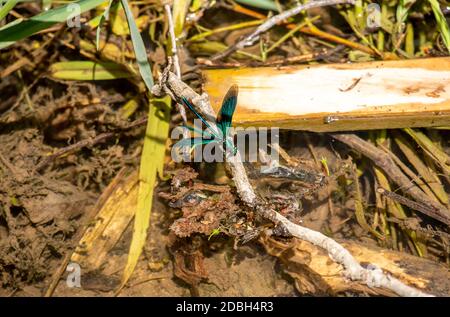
column 276, row 19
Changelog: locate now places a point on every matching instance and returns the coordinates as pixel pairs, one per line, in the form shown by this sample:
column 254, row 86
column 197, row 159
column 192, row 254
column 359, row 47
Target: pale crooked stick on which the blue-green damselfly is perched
column 371, row 276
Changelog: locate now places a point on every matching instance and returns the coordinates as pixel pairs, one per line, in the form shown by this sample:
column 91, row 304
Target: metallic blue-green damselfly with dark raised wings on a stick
column 223, row 122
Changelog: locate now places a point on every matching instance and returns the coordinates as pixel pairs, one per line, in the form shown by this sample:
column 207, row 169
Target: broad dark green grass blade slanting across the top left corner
column 14, row 31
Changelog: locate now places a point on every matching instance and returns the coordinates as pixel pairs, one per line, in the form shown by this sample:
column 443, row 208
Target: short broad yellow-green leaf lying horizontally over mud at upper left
column 88, row 70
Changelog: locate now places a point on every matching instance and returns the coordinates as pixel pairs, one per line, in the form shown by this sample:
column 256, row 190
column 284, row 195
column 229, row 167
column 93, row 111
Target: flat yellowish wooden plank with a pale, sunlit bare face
column 338, row 97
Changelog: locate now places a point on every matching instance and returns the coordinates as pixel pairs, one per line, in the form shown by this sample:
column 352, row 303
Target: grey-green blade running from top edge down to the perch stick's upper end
column 139, row 48
